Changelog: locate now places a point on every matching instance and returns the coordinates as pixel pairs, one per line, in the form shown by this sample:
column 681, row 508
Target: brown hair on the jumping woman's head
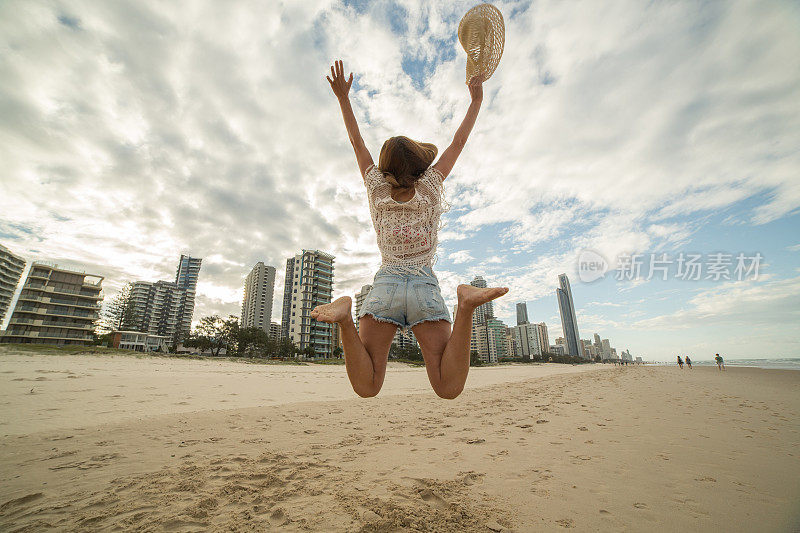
column 403, row 160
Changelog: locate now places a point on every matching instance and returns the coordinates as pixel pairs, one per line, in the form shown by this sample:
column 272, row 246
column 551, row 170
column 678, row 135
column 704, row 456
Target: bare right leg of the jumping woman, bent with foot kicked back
column 447, row 354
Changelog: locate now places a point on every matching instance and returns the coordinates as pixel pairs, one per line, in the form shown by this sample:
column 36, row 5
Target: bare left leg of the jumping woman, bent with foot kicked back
column 365, row 355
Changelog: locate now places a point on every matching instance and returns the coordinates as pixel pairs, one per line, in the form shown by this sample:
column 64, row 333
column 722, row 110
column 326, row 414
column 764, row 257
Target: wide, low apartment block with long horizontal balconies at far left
column 55, row 306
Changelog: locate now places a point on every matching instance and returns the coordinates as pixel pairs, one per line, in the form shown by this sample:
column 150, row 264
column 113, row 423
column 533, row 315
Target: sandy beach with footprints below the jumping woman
column 157, row 444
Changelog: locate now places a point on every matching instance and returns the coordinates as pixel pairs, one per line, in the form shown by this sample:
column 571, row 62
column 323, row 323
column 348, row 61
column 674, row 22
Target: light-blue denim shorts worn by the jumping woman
column 405, row 299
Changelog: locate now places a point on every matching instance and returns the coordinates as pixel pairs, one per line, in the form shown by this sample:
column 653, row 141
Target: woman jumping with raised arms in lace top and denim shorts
column 406, row 200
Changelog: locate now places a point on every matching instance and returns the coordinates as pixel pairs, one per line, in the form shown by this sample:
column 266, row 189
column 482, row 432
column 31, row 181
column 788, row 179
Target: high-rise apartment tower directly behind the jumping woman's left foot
column 309, row 283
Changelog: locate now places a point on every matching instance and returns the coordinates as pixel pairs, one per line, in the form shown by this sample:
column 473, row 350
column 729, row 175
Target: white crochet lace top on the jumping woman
column 407, row 231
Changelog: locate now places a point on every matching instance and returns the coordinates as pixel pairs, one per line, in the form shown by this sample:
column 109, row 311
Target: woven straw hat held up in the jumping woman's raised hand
column 482, row 34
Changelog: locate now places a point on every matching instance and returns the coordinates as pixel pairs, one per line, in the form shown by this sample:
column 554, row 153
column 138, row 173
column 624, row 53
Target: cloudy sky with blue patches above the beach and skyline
column 131, row 132
